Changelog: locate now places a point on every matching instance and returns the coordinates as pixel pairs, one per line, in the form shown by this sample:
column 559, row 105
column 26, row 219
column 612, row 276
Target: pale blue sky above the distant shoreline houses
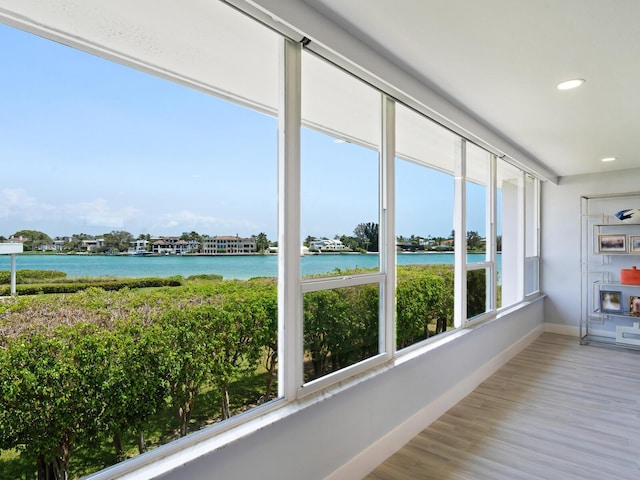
column 91, row 146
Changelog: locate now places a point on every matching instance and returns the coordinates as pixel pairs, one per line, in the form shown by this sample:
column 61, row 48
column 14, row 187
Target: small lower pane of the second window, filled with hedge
column 340, row 328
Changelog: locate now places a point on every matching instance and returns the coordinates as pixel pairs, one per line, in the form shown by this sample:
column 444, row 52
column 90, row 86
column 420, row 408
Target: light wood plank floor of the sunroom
column 558, row 410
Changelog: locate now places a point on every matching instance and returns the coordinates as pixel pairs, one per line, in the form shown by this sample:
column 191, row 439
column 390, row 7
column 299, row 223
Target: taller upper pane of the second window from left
column 340, row 167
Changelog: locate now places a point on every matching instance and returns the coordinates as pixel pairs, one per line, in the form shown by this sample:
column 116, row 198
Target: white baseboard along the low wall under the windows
column 364, row 463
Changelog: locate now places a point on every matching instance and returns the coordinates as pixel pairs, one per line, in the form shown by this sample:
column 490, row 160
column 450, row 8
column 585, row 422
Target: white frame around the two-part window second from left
column 291, row 302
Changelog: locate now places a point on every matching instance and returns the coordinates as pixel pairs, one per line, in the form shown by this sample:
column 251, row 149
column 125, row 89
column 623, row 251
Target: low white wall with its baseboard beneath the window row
column 347, row 434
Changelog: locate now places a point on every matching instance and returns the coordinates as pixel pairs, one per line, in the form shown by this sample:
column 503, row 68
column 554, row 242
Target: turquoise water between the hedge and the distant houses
column 230, row 267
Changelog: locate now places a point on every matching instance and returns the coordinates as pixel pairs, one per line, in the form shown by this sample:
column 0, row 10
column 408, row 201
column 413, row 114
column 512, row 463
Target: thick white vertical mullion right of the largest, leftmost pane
column 290, row 373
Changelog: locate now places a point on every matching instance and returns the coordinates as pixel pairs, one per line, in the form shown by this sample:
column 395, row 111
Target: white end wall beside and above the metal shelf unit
column 560, row 267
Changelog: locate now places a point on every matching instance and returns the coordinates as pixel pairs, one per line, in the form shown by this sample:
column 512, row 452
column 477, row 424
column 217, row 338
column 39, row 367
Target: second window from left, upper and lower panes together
column 340, row 218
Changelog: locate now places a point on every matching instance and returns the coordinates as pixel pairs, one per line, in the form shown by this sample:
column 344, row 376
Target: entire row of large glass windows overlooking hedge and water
column 147, row 305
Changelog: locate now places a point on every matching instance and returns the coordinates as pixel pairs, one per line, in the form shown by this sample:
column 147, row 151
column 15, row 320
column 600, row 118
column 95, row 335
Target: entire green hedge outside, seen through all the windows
column 81, row 370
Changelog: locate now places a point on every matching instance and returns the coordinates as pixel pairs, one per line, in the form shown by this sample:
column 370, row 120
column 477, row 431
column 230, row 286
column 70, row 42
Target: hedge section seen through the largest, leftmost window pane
column 80, row 371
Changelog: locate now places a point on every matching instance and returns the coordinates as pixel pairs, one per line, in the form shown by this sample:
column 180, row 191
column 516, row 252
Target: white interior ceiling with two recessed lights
column 501, row 60
